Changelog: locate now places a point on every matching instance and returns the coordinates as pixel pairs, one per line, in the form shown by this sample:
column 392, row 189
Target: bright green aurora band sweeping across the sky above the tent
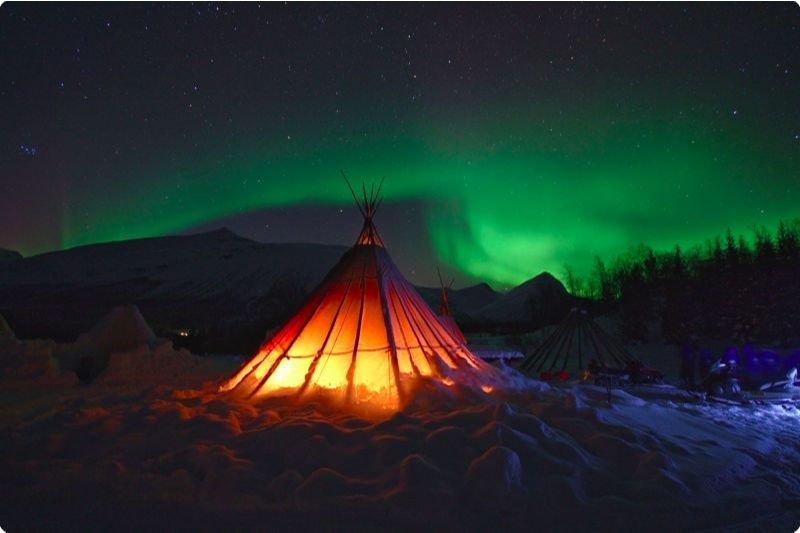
column 508, row 194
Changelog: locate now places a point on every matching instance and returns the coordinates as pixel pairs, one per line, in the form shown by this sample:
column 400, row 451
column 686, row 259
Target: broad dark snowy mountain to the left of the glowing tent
column 213, row 285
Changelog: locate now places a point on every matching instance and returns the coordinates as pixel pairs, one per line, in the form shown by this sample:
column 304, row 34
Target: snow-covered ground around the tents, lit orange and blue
column 149, row 445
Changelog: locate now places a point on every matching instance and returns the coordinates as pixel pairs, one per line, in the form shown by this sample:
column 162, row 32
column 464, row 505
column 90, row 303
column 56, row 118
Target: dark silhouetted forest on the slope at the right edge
column 743, row 289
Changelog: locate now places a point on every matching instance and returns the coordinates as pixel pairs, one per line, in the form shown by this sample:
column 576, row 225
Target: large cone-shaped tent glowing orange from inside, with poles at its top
column 363, row 338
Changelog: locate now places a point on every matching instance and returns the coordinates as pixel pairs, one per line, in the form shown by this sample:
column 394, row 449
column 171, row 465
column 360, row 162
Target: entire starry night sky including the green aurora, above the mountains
column 513, row 138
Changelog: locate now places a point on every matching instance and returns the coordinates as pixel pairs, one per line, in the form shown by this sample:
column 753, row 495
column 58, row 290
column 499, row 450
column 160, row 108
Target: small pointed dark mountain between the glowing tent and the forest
column 538, row 301
